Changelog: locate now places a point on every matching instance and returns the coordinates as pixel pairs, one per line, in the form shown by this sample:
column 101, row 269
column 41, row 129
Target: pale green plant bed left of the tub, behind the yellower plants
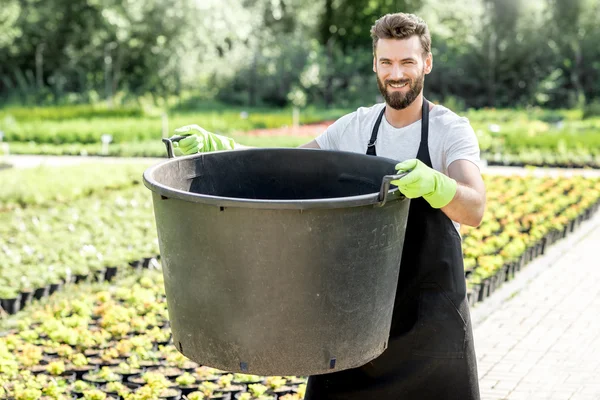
column 41, row 248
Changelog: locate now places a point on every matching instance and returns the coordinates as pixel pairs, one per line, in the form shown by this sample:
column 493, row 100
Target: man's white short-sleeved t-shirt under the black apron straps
column 451, row 137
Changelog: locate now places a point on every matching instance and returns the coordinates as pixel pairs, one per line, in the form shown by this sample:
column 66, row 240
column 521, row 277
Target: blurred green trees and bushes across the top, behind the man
column 487, row 53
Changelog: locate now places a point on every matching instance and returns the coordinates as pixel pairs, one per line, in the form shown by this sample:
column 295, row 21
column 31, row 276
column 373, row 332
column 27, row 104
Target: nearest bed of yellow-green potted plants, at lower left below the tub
column 101, row 340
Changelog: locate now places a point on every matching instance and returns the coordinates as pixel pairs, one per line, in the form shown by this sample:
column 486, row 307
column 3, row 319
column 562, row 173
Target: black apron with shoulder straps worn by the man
column 430, row 353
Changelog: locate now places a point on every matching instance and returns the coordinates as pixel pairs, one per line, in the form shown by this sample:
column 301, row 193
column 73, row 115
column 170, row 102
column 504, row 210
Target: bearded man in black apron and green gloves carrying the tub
column 430, row 353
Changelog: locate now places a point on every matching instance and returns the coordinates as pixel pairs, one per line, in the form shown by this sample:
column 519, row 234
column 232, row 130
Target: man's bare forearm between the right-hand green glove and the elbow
column 467, row 206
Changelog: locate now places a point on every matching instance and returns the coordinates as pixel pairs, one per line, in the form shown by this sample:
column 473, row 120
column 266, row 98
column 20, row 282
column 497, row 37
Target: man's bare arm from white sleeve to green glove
column 468, row 205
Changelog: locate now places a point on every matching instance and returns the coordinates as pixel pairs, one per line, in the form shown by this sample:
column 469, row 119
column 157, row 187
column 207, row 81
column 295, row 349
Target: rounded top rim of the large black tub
column 393, row 194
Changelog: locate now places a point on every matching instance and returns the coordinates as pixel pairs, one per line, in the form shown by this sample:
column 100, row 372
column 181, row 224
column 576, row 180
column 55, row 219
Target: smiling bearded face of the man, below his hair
column 401, row 69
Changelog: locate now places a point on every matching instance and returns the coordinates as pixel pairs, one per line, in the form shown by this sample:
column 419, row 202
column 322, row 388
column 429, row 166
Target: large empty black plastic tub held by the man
column 279, row 261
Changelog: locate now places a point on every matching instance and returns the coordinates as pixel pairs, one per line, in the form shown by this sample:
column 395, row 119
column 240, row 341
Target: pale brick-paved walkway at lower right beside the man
column 538, row 337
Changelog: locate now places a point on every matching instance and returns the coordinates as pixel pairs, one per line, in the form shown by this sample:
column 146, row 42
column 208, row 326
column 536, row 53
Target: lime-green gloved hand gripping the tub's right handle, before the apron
column 422, row 181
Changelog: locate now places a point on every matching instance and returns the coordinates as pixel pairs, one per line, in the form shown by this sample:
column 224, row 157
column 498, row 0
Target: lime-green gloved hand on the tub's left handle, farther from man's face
column 200, row 140
